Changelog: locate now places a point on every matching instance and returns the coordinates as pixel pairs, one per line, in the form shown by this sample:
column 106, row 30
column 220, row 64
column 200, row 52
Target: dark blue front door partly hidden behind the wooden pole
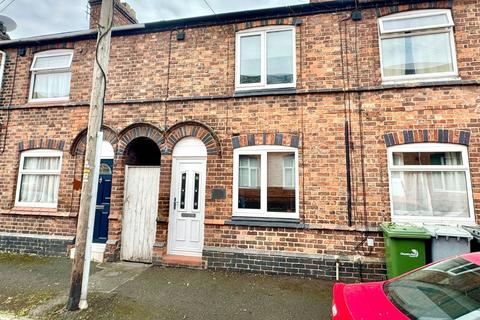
column 100, row 230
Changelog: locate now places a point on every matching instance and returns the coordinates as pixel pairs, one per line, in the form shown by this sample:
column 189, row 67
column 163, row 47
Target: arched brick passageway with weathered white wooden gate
column 140, row 147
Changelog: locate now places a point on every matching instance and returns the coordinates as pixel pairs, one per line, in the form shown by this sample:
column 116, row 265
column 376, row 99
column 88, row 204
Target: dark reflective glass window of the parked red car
column 446, row 290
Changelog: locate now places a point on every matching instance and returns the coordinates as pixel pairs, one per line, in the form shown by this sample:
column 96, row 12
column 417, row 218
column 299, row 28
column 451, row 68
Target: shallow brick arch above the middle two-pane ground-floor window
column 253, row 139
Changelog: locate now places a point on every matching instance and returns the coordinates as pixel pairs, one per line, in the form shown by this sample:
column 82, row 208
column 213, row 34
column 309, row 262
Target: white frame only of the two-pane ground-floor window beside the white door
column 262, row 212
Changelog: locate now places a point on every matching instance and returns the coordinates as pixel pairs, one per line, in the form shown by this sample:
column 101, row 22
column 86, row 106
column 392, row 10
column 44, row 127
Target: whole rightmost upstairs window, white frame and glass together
column 417, row 45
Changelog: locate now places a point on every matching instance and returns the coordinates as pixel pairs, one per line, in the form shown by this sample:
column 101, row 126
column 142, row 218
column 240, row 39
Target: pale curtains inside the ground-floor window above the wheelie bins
column 430, row 193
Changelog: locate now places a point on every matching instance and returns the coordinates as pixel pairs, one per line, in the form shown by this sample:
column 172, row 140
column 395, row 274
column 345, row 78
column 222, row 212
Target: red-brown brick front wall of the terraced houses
column 199, row 86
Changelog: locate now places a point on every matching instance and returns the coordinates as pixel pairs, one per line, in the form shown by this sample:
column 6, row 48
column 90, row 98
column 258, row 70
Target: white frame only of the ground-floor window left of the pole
column 40, row 153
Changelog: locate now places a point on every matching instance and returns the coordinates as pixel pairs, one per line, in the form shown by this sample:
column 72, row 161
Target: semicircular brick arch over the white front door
column 192, row 129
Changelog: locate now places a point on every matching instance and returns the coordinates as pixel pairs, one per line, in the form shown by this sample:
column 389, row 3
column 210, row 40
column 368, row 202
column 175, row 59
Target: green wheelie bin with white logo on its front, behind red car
column 405, row 247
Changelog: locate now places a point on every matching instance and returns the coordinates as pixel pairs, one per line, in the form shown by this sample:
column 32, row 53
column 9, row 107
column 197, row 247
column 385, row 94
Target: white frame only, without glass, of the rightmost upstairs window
column 433, row 29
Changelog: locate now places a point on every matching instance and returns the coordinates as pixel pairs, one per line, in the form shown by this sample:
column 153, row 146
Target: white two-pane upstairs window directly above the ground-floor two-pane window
column 265, row 58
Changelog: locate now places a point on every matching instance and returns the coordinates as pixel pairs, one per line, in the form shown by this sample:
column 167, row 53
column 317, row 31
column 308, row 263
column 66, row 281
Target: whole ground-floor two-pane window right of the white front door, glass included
column 265, row 182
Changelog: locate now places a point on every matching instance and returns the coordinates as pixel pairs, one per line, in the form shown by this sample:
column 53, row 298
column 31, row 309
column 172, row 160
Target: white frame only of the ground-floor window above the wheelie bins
column 431, row 147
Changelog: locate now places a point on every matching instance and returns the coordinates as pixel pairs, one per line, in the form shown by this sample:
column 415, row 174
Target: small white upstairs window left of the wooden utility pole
column 51, row 75
